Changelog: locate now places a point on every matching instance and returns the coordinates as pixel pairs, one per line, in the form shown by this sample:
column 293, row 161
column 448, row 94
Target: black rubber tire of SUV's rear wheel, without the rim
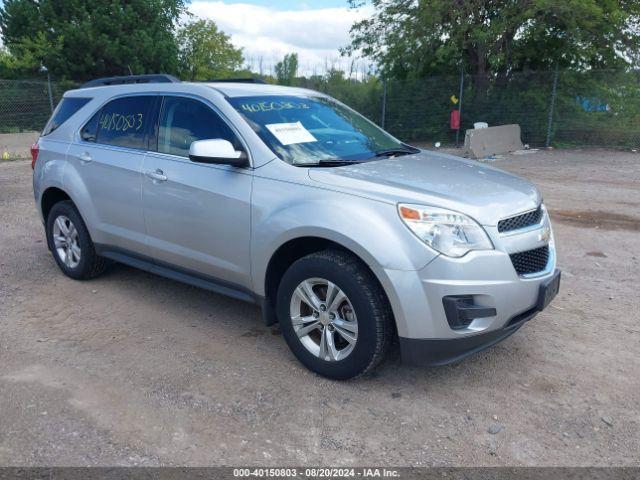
column 90, row 265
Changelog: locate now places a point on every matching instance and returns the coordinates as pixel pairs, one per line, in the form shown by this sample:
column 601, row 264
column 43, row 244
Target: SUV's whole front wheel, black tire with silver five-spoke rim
column 334, row 315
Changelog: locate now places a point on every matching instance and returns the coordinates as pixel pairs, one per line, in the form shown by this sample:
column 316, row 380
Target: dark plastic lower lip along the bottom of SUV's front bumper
column 433, row 352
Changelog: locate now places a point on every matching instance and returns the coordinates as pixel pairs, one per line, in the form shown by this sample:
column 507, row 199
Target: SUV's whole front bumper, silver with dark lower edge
column 486, row 280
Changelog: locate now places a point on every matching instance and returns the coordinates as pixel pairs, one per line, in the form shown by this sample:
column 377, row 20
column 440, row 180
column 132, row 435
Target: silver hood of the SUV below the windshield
column 485, row 193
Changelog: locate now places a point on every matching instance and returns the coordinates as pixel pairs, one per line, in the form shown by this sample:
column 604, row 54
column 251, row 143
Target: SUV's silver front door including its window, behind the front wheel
column 197, row 216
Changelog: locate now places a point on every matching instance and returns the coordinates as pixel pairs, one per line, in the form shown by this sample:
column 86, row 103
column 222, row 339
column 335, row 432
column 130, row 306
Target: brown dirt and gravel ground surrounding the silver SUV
column 133, row 369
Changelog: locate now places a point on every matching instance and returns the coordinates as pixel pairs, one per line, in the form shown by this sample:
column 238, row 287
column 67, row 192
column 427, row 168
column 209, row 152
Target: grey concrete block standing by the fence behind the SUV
column 484, row 142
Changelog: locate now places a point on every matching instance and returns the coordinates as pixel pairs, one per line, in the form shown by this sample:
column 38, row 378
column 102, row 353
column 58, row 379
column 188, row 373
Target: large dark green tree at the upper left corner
column 81, row 39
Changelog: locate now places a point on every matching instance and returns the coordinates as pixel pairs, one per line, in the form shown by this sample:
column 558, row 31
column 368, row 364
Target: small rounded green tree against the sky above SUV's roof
column 206, row 52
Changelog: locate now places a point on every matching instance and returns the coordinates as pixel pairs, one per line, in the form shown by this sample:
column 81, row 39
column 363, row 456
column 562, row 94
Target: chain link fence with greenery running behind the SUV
column 563, row 109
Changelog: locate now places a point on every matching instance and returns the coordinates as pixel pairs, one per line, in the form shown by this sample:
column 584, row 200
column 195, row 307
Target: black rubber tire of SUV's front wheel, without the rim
column 375, row 320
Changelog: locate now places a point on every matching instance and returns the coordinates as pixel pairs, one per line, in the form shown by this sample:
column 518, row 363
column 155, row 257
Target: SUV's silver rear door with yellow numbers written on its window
column 109, row 159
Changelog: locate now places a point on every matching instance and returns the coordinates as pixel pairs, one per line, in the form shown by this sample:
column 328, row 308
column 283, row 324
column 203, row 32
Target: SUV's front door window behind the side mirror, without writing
column 184, row 120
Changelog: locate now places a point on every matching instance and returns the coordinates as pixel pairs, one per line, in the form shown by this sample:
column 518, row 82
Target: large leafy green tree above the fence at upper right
column 429, row 37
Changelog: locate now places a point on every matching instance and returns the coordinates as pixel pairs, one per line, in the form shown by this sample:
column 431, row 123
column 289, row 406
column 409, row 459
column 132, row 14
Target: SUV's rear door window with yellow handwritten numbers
column 123, row 122
